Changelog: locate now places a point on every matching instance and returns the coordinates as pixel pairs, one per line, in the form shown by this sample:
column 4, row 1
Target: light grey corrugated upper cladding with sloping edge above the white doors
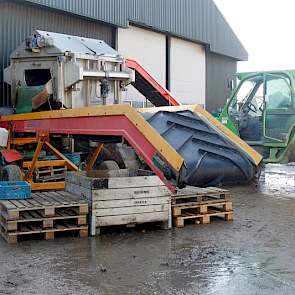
column 197, row 20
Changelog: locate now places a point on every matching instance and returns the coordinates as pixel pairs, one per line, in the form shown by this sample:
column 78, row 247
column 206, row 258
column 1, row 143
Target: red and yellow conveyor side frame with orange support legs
column 112, row 120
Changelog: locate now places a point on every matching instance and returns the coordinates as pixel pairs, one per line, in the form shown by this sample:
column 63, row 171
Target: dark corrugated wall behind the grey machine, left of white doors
column 17, row 21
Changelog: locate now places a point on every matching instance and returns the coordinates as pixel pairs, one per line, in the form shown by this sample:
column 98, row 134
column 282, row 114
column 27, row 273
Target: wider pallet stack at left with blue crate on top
column 44, row 214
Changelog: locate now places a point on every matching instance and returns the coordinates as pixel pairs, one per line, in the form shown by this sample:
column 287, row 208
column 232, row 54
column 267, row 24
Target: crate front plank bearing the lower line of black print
column 130, row 202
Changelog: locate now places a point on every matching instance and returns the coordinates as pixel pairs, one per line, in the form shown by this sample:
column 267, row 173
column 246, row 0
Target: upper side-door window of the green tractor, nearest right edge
column 278, row 92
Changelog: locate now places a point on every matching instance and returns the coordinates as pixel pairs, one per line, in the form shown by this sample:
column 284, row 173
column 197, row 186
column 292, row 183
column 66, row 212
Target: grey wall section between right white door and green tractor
column 218, row 70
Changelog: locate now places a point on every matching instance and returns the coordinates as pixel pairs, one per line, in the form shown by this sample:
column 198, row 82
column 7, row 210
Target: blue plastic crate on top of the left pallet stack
column 14, row 190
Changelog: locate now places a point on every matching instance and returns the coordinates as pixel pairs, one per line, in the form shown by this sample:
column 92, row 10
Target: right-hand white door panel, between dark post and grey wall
column 188, row 71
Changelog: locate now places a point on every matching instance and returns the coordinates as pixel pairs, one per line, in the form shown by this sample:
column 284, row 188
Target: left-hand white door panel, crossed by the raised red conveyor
column 149, row 49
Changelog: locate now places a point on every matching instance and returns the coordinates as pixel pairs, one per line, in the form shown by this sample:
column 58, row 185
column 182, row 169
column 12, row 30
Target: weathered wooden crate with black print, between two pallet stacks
column 122, row 200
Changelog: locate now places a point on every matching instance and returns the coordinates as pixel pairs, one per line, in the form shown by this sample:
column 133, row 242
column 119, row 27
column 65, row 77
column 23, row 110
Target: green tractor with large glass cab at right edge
column 261, row 110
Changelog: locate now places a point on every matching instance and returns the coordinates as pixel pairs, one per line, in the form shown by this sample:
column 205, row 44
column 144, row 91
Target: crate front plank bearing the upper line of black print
column 128, row 193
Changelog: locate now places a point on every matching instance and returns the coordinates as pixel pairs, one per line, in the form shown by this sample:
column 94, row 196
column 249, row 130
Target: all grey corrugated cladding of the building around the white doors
column 197, row 21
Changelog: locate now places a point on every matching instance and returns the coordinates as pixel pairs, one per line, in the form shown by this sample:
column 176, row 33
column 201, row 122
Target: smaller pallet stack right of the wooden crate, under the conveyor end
column 200, row 205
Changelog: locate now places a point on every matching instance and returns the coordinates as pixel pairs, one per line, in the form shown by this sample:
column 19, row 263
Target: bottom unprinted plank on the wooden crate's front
column 131, row 218
